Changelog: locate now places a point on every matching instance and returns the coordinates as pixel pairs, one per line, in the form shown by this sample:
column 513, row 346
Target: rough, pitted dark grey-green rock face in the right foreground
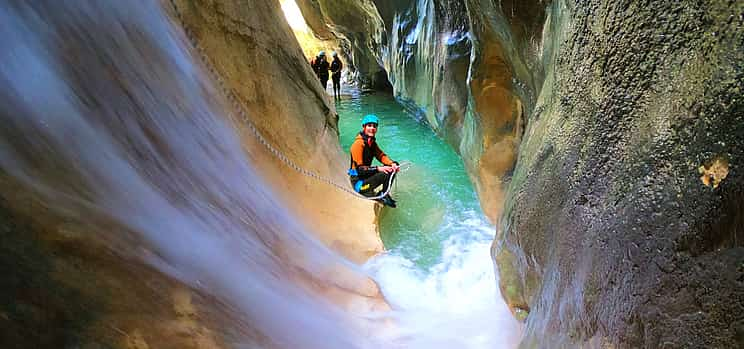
column 615, row 231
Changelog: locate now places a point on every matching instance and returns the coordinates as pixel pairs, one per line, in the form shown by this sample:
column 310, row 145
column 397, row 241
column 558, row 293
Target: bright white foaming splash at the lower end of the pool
column 454, row 304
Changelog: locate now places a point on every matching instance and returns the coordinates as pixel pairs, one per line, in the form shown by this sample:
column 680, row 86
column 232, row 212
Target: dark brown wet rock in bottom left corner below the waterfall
column 62, row 289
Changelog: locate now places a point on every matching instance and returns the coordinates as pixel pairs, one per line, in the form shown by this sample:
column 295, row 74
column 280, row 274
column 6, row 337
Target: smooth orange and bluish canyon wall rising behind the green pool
column 470, row 69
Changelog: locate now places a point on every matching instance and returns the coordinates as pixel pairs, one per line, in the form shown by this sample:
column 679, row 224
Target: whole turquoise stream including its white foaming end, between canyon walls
column 437, row 273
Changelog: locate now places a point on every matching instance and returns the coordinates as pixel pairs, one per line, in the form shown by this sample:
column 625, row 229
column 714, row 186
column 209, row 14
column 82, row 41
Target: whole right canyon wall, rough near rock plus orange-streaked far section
column 622, row 223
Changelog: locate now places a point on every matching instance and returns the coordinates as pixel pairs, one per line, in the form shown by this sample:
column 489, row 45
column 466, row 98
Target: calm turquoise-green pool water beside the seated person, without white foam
column 435, row 197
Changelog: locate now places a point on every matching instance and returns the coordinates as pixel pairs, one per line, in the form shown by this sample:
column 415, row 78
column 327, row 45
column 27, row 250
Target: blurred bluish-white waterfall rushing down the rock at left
column 108, row 117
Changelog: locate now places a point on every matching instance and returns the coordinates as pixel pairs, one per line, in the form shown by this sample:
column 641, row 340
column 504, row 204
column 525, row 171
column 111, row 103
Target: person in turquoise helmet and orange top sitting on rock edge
column 366, row 179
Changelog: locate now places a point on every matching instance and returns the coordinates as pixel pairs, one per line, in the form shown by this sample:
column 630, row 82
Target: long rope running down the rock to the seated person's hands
column 241, row 112
